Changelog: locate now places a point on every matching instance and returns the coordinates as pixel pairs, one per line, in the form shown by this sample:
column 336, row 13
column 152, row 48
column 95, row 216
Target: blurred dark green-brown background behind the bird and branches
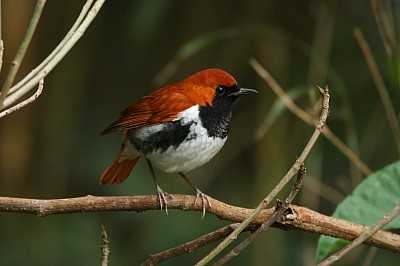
column 52, row 148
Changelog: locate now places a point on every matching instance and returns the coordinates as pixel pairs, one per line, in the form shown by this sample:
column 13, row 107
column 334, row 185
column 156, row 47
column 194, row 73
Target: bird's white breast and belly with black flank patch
column 177, row 146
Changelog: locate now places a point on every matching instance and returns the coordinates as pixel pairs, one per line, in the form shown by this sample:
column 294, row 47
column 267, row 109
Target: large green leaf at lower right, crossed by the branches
column 371, row 200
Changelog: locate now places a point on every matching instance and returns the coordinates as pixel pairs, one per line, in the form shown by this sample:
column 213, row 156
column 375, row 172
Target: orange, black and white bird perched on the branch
column 176, row 128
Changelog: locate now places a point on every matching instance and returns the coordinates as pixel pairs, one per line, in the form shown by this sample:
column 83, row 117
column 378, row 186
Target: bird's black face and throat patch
column 216, row 118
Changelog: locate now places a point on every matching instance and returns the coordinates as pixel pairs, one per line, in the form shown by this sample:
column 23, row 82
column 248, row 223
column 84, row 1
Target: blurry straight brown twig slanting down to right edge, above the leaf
column 380, row 86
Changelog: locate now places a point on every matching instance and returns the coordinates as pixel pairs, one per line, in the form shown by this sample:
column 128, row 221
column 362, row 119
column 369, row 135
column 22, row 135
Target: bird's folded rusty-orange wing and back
column 161, row 106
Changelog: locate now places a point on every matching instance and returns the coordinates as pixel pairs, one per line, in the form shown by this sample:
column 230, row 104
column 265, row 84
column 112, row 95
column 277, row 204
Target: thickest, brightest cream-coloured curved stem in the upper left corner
column 57, row 57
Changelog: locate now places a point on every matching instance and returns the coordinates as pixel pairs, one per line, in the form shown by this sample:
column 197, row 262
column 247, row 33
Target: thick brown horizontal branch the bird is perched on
column 296, row 217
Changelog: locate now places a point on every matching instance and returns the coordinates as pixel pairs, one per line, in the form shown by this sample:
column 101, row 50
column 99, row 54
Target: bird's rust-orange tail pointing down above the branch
column 119, row 169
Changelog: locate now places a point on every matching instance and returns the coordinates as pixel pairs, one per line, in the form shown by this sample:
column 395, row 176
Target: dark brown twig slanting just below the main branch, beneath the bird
column 192, row 245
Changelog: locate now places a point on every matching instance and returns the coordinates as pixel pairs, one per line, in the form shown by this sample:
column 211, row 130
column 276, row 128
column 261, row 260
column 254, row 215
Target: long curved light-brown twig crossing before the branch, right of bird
column 293, row 170
